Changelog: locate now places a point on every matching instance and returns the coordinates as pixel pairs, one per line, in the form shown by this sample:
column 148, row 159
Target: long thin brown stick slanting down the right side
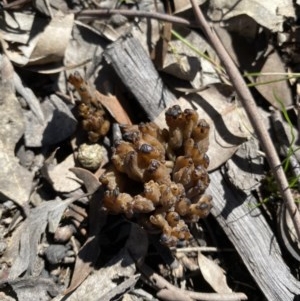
column 253, row 115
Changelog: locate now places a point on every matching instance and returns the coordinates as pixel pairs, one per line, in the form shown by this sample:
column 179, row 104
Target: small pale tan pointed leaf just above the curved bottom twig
column 213, row 274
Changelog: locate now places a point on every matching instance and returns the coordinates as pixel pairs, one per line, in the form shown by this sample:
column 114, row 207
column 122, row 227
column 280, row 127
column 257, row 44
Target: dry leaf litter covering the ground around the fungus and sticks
column 55, row 219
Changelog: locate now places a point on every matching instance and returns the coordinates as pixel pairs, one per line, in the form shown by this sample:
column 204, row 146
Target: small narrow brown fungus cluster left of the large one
column 94, row 118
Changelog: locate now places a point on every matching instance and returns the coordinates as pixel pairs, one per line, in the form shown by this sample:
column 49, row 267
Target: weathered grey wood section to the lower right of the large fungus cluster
column 252, row 237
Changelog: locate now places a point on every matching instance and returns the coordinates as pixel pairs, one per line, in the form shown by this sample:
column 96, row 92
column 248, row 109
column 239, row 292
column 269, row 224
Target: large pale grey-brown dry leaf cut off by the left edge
column 17, row 185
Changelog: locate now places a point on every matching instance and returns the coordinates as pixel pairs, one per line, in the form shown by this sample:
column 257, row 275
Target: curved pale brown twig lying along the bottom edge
column 167, row 291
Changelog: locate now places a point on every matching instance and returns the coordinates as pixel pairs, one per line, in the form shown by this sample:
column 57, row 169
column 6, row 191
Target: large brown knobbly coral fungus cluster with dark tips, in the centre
column 171, row 165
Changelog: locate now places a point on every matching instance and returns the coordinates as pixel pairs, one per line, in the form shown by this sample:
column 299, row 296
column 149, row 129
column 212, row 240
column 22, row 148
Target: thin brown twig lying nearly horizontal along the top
column 107, row 12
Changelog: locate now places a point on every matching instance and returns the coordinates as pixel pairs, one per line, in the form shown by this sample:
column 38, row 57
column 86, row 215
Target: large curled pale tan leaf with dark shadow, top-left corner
column 41, row 42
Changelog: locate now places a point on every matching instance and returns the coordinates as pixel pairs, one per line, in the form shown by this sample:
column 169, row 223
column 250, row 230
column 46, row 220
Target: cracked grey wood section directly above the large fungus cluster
column 134, row 67
